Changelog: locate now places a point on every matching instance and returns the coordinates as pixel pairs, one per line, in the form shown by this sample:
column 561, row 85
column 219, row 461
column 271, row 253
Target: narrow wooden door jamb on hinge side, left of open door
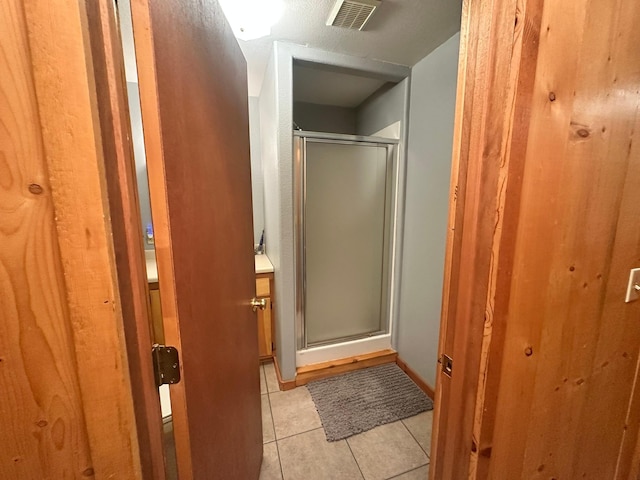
column 126, row 225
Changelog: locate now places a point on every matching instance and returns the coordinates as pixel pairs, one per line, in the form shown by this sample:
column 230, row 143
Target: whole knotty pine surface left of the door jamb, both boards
column 67, row 409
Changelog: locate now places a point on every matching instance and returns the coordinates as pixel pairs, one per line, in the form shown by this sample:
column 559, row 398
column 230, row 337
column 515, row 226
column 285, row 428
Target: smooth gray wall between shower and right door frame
column 433, row 96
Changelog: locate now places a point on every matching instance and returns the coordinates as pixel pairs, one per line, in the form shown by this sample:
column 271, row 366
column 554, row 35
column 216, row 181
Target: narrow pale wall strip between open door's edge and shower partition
column 257, row 182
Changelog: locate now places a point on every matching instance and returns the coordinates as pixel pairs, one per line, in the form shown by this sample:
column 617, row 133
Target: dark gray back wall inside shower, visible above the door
column 324, row 118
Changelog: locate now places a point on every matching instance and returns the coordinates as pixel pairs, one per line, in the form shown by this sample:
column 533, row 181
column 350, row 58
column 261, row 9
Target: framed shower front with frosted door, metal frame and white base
column 345, row 195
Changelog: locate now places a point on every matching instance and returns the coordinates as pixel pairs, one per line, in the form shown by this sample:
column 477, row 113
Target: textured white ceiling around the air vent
column 400, row 31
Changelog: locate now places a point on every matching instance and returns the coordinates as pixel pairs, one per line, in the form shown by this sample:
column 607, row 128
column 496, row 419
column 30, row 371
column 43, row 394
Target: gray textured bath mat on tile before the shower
column 358, row 401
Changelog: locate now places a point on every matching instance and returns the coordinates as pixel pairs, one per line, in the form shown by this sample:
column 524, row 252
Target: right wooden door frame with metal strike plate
column 489, row 61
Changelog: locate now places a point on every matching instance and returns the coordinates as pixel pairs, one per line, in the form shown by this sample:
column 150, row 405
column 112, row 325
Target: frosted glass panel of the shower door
column 346, row 217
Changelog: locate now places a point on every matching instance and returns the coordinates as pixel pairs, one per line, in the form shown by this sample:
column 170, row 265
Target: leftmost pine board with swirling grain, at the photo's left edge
column 41, row 412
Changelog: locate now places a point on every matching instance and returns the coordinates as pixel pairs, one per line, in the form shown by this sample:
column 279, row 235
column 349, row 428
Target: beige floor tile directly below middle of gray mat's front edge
column 386, row 451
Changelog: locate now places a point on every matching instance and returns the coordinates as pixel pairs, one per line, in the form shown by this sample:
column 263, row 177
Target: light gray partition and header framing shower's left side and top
column 276, row 119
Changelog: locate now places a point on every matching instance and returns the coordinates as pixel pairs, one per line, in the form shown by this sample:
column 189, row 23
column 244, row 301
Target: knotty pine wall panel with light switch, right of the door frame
column 569, row 332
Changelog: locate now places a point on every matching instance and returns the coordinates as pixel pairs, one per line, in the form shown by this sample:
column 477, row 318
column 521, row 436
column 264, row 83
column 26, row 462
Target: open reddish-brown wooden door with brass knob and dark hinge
column 193, row 90
